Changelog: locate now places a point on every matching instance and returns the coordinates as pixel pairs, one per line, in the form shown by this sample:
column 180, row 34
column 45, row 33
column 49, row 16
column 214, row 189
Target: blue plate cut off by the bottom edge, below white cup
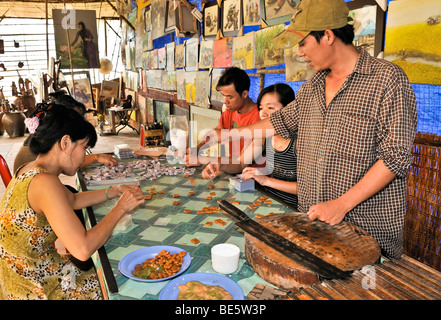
column 171, row 290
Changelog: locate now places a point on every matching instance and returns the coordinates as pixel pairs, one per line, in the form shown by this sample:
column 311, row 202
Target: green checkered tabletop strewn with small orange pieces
column 160, row 222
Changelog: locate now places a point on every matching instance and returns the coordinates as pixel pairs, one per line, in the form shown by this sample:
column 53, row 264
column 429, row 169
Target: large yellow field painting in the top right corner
column 413, row 41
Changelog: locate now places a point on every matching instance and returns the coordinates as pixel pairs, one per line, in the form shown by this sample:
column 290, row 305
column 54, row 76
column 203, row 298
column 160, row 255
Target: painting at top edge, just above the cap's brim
column 276, row 12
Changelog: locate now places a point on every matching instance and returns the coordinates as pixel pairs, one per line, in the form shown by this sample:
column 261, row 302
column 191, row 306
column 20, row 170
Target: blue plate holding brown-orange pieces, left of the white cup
column 128, row 263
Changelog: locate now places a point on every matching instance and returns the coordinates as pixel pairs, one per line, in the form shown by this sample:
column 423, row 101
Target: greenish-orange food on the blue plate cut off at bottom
column 195, row 290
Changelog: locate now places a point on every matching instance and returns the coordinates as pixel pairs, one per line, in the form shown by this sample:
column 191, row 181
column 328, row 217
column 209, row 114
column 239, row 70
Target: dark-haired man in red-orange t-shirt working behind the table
column 240, row 110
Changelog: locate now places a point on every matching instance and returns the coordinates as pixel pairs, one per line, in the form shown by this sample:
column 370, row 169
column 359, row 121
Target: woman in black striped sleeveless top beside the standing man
column 279, row 176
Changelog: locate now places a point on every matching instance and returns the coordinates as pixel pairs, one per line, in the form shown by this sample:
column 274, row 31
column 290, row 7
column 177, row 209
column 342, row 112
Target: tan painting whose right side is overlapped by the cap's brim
column 265, row 54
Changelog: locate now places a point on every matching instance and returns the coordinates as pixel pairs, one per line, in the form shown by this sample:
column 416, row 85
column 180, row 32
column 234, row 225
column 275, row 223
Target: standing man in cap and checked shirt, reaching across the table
column 356, row 121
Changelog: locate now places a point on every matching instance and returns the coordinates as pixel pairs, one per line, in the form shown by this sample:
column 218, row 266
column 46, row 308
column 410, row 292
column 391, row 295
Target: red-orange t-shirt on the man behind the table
column 233, row 119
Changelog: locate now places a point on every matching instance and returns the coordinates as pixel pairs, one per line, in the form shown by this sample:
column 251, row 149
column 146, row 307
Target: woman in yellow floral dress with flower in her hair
column 37, row 209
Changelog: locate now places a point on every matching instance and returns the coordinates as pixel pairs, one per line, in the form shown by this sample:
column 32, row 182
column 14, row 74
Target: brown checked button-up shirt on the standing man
column 373, row 116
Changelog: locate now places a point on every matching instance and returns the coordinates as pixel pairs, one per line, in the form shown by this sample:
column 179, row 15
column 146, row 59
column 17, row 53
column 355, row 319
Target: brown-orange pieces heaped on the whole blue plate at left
column 163, row 265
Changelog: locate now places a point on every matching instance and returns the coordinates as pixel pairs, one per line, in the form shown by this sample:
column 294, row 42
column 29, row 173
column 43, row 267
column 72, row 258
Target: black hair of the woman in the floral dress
column 55, row 121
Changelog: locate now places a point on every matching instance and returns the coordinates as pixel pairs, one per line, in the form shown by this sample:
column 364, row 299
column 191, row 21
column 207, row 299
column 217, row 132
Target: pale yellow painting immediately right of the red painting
column 243, row 51
